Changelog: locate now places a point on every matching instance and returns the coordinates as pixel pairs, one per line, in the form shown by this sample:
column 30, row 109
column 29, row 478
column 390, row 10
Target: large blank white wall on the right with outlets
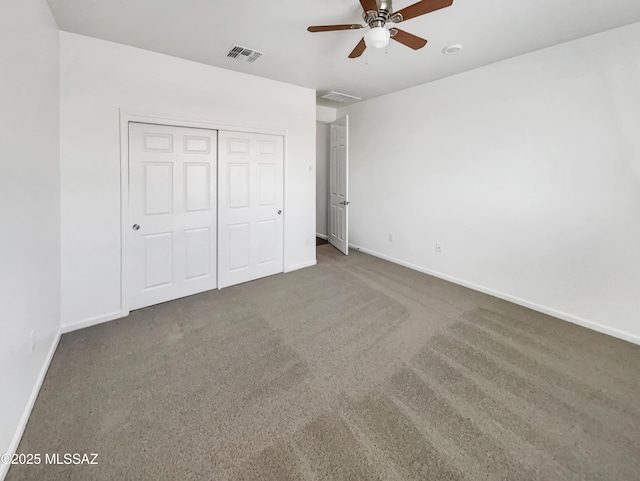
column 528, row 173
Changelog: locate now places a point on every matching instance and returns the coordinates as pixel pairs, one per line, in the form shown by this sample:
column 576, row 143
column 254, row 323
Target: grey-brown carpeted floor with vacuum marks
column 356, row 369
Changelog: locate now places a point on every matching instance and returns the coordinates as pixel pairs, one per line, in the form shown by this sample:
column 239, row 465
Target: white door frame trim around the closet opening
column 125, row 241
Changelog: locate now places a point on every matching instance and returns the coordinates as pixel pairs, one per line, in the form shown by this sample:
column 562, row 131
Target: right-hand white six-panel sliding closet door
column 250, row 204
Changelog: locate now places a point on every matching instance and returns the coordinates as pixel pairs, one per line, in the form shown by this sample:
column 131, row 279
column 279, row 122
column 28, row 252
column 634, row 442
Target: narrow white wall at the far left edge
column 30, row 214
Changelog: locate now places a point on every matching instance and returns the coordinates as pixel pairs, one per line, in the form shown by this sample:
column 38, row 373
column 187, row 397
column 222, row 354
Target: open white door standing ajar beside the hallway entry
column 339, row 185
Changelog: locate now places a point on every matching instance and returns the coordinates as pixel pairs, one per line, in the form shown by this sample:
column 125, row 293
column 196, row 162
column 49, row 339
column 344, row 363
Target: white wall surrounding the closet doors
column 98, row 78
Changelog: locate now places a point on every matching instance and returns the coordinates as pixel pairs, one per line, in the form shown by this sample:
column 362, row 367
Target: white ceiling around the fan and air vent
column 202, row 30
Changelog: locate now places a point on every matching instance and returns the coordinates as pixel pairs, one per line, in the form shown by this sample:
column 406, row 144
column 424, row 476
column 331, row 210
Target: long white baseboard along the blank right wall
column 594, row 326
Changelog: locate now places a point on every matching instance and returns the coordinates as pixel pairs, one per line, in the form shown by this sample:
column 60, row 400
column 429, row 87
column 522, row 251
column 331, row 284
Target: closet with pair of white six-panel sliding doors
column 205, row 208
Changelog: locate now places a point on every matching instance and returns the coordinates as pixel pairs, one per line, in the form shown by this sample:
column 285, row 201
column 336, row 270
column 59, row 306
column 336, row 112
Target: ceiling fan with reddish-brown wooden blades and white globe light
column 377, row 13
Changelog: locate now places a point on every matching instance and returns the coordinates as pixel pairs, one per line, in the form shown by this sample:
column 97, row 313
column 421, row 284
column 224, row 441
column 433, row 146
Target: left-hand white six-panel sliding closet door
column 172, row 192
